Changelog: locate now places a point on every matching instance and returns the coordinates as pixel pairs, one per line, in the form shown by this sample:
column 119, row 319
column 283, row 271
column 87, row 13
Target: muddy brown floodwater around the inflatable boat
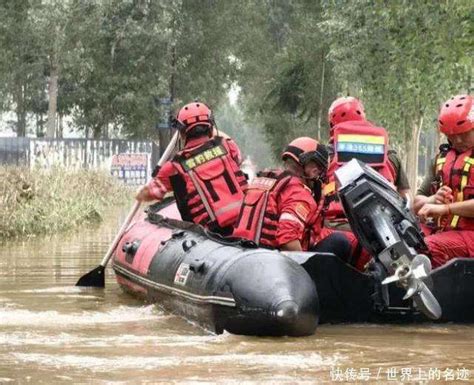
column 52, row 332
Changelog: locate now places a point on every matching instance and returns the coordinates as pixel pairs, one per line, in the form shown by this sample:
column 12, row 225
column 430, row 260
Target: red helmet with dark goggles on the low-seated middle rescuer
column 305, row 149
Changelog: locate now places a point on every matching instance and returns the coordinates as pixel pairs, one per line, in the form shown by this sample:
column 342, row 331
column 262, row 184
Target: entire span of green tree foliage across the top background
column 116, row 58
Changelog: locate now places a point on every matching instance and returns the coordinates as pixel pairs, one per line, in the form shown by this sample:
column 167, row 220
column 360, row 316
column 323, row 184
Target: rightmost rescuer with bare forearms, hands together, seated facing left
column 447, row 192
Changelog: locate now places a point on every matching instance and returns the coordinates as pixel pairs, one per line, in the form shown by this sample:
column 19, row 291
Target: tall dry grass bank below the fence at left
column 36, row 202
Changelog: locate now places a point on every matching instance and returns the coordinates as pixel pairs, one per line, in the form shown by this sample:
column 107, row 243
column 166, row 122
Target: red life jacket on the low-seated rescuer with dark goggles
column 259, row 214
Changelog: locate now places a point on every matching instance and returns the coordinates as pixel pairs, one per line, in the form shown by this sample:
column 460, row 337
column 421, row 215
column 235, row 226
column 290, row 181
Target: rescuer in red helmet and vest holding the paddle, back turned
column 205, row 176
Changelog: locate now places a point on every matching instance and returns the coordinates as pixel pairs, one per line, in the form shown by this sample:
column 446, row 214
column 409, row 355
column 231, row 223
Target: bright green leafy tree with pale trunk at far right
column 402, row 58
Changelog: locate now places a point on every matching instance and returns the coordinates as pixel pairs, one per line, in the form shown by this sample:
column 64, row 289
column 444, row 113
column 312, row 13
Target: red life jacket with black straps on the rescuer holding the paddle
column 209, row 185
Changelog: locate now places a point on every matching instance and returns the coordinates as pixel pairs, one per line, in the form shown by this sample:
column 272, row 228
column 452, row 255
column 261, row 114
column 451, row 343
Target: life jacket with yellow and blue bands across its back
column 360, row 140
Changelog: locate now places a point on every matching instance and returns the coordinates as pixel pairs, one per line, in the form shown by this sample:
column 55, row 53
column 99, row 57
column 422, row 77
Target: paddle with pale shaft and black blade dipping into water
column 96, row 277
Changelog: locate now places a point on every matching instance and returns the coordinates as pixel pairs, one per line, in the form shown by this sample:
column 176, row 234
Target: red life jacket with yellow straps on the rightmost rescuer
column 455, row 170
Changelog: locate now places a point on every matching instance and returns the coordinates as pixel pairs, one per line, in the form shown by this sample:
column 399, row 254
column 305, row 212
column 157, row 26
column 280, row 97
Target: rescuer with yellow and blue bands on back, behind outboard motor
column 353, row 136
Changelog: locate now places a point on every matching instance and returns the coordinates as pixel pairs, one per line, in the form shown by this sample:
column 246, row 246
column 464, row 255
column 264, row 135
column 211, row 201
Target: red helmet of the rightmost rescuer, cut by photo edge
column 456, row 115
